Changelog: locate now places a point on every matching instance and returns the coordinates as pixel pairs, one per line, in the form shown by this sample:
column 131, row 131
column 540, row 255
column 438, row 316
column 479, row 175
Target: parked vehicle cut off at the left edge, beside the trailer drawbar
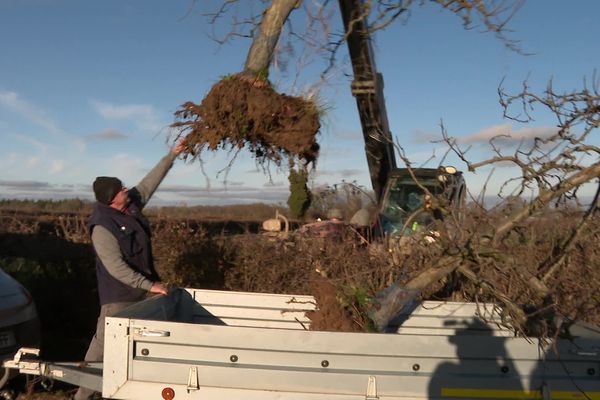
column 19, row 322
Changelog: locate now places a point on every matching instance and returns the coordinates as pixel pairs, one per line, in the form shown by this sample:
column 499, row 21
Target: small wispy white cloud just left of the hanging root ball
column 144, row 116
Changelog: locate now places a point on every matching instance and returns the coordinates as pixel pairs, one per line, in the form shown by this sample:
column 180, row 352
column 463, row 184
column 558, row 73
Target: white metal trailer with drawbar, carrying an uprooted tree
column 209, row 345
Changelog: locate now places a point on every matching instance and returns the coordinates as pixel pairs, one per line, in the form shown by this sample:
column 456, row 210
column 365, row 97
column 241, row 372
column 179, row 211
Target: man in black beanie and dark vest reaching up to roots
column 122, row 242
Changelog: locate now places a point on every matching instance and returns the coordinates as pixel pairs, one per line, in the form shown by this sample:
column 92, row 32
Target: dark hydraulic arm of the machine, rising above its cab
column 367, row 88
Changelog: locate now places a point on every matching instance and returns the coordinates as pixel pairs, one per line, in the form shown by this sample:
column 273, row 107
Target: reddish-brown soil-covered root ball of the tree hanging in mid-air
column 239, row 112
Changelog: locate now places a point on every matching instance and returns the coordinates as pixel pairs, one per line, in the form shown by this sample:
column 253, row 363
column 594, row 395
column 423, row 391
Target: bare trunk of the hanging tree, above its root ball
column 261, row 52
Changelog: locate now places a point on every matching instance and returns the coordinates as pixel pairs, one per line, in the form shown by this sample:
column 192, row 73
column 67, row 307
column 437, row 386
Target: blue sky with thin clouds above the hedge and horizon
column 89, row 88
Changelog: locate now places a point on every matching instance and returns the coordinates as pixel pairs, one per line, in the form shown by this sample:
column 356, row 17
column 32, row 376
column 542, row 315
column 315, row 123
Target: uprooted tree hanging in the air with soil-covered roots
column 242, row 109
